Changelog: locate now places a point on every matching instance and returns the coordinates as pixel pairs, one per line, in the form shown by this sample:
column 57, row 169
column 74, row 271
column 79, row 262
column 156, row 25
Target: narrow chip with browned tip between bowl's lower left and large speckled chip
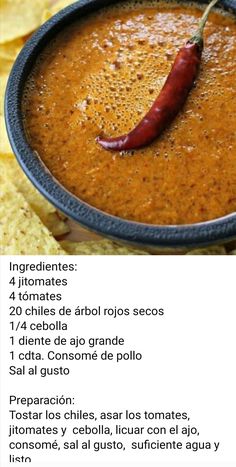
column 45, row 210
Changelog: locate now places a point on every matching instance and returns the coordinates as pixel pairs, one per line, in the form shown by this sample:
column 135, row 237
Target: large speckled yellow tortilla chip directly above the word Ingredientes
column 21, row 230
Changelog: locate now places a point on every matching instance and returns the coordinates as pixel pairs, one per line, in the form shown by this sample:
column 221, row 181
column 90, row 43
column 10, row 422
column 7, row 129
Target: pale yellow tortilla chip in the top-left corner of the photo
column 20, row 18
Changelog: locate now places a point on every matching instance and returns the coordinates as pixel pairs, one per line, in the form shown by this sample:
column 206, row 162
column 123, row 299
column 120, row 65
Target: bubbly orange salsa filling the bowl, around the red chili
column 100, row 76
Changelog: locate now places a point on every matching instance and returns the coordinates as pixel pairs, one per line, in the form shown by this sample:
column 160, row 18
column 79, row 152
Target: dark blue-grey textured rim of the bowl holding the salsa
column 168, row 237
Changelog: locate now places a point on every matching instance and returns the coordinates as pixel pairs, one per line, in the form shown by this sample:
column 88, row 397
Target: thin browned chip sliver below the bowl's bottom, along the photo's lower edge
column 103, row 247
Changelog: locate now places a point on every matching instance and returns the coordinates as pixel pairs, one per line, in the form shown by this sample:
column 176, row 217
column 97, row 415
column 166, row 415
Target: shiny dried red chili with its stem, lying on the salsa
column 171, row 98
